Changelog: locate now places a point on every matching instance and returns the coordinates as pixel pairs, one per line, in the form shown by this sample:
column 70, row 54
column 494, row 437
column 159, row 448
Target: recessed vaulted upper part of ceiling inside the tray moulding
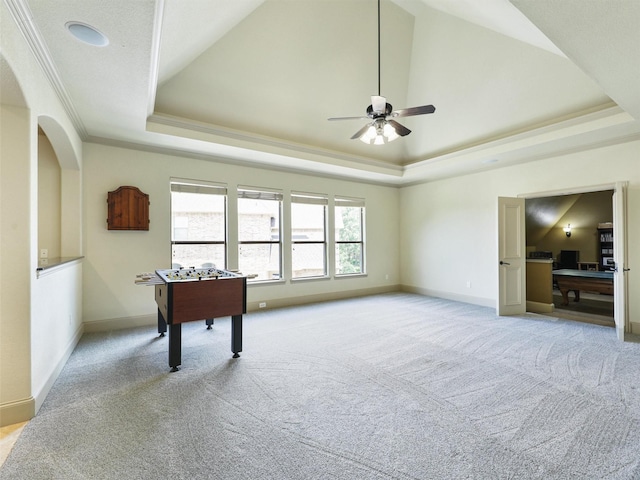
column 483, row 84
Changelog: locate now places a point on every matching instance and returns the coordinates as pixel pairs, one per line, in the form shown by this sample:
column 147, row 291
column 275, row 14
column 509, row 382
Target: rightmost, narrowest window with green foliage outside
column 349, row 226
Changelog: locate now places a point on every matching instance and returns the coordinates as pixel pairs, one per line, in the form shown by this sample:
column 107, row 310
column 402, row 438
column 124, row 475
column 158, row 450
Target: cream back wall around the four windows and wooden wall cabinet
column 113, row 258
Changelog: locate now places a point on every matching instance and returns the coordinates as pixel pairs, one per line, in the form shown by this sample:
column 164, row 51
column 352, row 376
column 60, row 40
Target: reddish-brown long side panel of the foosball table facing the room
column 207, row 299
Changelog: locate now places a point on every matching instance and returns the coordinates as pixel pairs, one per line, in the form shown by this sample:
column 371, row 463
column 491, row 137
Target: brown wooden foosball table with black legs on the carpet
column 191, row 294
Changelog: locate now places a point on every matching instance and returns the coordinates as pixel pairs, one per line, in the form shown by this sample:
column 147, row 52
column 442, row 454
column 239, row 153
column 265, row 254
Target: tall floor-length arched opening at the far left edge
column 16, row 401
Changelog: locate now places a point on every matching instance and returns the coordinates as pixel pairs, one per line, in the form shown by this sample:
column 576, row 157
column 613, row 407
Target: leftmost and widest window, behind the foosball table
column 198, row 224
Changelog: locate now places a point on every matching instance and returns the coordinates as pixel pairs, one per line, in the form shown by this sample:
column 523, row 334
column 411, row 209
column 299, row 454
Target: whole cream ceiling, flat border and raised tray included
column 254, row 81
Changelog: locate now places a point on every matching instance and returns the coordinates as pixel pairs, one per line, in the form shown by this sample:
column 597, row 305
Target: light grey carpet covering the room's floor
column 396, row 386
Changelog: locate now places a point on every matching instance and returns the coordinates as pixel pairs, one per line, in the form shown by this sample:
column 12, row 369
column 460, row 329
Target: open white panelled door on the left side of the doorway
column 511, row 257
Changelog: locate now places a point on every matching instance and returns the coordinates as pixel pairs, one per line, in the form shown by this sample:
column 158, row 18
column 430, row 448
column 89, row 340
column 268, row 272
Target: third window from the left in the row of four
column 308, row 235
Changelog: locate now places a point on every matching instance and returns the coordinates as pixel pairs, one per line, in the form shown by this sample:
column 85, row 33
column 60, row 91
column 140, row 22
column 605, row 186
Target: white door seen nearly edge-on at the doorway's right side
column 620, row 259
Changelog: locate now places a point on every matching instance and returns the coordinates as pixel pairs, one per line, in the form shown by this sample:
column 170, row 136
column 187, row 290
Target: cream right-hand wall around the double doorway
column 449, row 227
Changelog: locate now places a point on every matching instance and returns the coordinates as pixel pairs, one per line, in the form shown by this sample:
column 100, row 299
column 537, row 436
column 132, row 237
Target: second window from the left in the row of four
column 259, row 247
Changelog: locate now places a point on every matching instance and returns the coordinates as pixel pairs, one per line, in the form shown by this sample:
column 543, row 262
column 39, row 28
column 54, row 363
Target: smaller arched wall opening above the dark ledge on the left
column 49, row 200
